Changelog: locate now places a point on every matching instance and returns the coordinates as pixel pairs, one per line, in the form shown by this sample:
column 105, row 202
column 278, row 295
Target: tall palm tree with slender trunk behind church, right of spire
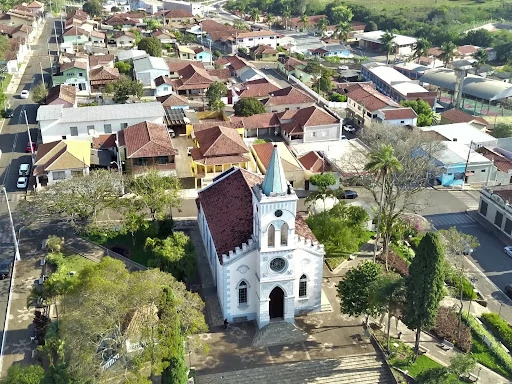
column 382, row 162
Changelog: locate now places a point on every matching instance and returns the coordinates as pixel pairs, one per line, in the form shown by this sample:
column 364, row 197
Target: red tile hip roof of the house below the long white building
column 148, row 140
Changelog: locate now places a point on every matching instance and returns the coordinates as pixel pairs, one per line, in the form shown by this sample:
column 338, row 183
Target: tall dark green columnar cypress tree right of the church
column 424, row 286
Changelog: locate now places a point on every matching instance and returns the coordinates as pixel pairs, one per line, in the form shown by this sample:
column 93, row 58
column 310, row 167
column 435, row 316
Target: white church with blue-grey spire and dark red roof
column 265, row 261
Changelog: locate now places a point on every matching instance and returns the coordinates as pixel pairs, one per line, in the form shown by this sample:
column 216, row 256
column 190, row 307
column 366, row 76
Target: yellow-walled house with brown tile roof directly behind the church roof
column 218, row 149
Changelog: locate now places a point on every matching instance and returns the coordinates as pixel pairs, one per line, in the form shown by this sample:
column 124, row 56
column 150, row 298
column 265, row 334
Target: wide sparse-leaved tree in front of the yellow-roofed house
column 79, row 199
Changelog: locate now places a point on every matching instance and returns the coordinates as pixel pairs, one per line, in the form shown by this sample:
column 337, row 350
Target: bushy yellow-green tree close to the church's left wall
column 174, row 255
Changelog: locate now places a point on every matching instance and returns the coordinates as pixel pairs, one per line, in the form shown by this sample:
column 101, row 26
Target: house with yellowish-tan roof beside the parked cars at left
column 60, row 160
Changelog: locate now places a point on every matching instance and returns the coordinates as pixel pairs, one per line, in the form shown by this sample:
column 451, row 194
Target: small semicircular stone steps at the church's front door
column 278, row 333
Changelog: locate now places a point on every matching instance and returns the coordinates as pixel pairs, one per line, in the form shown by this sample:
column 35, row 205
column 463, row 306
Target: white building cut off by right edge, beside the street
column 495, row 205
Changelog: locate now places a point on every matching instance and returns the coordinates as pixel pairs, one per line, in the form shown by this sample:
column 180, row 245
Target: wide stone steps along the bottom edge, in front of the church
column 361, row 369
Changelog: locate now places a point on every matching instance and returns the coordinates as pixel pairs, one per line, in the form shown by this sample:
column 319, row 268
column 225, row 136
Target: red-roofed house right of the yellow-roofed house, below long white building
column 147, row 146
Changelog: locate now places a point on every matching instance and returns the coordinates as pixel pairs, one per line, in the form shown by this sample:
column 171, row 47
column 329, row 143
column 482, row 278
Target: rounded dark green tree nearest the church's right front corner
column 354, row 288
